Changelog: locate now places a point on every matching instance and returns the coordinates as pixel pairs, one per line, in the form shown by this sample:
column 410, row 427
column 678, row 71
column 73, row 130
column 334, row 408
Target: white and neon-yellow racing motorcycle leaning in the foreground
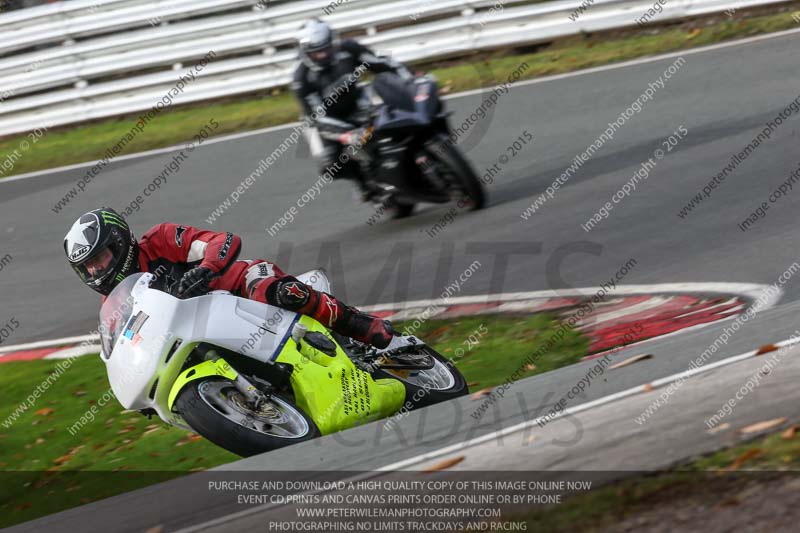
column 251, row 377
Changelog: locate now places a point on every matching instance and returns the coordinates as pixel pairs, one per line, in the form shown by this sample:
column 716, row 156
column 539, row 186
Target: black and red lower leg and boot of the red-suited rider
column 295, row 295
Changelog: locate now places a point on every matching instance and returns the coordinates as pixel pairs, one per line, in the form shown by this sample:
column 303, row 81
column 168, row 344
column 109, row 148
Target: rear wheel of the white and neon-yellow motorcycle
column 426, row 387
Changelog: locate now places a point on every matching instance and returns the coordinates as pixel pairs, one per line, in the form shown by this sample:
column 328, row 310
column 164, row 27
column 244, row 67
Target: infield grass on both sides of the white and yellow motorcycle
column 46, row 469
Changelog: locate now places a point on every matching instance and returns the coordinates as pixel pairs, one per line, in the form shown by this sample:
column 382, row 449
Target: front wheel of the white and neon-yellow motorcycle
column 215, row 409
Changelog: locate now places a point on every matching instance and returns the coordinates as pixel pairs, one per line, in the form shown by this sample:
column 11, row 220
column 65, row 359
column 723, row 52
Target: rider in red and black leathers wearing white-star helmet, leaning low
column 102, row 249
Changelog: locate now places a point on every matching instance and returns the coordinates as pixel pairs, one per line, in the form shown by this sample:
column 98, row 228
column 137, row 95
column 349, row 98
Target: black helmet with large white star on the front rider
column 102, row 249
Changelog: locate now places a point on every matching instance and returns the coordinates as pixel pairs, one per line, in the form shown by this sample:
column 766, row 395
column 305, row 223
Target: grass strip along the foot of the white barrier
column 89, row 142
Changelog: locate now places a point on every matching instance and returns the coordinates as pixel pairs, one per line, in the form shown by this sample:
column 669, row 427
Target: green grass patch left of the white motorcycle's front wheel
column 37, row 449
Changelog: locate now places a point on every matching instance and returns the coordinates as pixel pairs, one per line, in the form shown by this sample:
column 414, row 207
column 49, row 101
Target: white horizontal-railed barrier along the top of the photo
column 107, row 58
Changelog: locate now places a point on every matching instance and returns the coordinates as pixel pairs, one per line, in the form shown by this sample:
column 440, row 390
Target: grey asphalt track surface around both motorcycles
column 723, row 97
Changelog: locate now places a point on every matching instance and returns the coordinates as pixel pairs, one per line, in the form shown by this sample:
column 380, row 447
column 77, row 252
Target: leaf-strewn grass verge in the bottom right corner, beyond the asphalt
column 705, row 479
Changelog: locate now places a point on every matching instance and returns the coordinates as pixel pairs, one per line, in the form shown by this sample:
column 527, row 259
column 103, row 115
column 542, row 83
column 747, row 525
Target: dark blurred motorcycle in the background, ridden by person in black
column 404, row 149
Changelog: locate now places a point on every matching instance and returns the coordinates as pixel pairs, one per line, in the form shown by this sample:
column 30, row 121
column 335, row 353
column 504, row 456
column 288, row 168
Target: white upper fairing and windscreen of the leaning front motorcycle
column 142, row 326
